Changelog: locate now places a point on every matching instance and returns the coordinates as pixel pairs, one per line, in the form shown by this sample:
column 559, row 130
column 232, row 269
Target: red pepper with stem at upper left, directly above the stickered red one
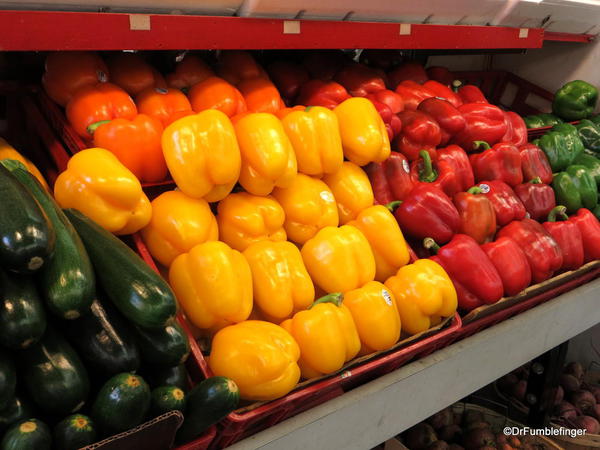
column 502, row 162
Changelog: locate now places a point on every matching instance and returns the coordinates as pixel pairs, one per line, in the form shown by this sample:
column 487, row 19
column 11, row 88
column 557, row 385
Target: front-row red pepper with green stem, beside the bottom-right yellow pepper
column 467, row 263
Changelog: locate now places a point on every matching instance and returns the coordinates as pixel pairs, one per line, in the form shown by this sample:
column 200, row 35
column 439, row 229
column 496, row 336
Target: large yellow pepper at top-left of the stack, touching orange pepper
column 202, row 154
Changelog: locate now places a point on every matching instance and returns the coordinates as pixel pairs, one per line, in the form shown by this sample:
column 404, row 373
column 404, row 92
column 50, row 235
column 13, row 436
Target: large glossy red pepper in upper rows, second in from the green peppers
column 484, row 122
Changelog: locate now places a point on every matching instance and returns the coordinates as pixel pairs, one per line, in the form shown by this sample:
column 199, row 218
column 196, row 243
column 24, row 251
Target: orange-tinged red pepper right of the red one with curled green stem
column 477, row 215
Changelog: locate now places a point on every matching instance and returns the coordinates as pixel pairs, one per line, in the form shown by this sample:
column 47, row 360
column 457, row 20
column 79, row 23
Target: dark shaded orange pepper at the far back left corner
column 67, row 72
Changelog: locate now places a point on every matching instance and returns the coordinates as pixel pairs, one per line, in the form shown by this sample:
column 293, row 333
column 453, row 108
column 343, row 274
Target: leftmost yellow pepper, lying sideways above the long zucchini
column 102, row 188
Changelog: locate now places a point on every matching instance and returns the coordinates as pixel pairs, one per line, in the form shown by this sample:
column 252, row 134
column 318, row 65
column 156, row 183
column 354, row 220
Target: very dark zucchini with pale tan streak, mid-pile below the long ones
column 104, row 340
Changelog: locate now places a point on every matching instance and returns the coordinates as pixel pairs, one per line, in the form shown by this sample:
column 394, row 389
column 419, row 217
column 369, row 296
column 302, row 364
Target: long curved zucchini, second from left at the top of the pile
column 67, row 280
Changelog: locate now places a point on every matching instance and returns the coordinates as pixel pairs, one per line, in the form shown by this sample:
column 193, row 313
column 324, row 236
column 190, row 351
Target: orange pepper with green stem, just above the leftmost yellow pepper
column 136, row 143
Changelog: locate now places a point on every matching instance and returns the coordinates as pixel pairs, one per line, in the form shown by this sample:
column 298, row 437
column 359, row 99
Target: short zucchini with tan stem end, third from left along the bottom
column 121, row 404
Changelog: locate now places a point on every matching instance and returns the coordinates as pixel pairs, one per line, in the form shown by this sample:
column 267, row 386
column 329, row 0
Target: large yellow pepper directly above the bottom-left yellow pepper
column 213, row 285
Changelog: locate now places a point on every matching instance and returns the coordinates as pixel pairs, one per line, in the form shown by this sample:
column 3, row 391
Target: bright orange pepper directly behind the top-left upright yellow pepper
column 216, row 93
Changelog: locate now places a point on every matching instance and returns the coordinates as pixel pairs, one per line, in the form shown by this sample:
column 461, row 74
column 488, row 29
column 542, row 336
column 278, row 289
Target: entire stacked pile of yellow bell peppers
column 298, row 272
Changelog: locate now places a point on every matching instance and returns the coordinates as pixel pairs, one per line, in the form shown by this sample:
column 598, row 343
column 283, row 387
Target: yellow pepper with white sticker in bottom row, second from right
column 375, row 314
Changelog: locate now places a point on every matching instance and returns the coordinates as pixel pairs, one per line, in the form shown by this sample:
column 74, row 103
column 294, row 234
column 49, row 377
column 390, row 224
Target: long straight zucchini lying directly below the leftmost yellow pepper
column 139, row 293
